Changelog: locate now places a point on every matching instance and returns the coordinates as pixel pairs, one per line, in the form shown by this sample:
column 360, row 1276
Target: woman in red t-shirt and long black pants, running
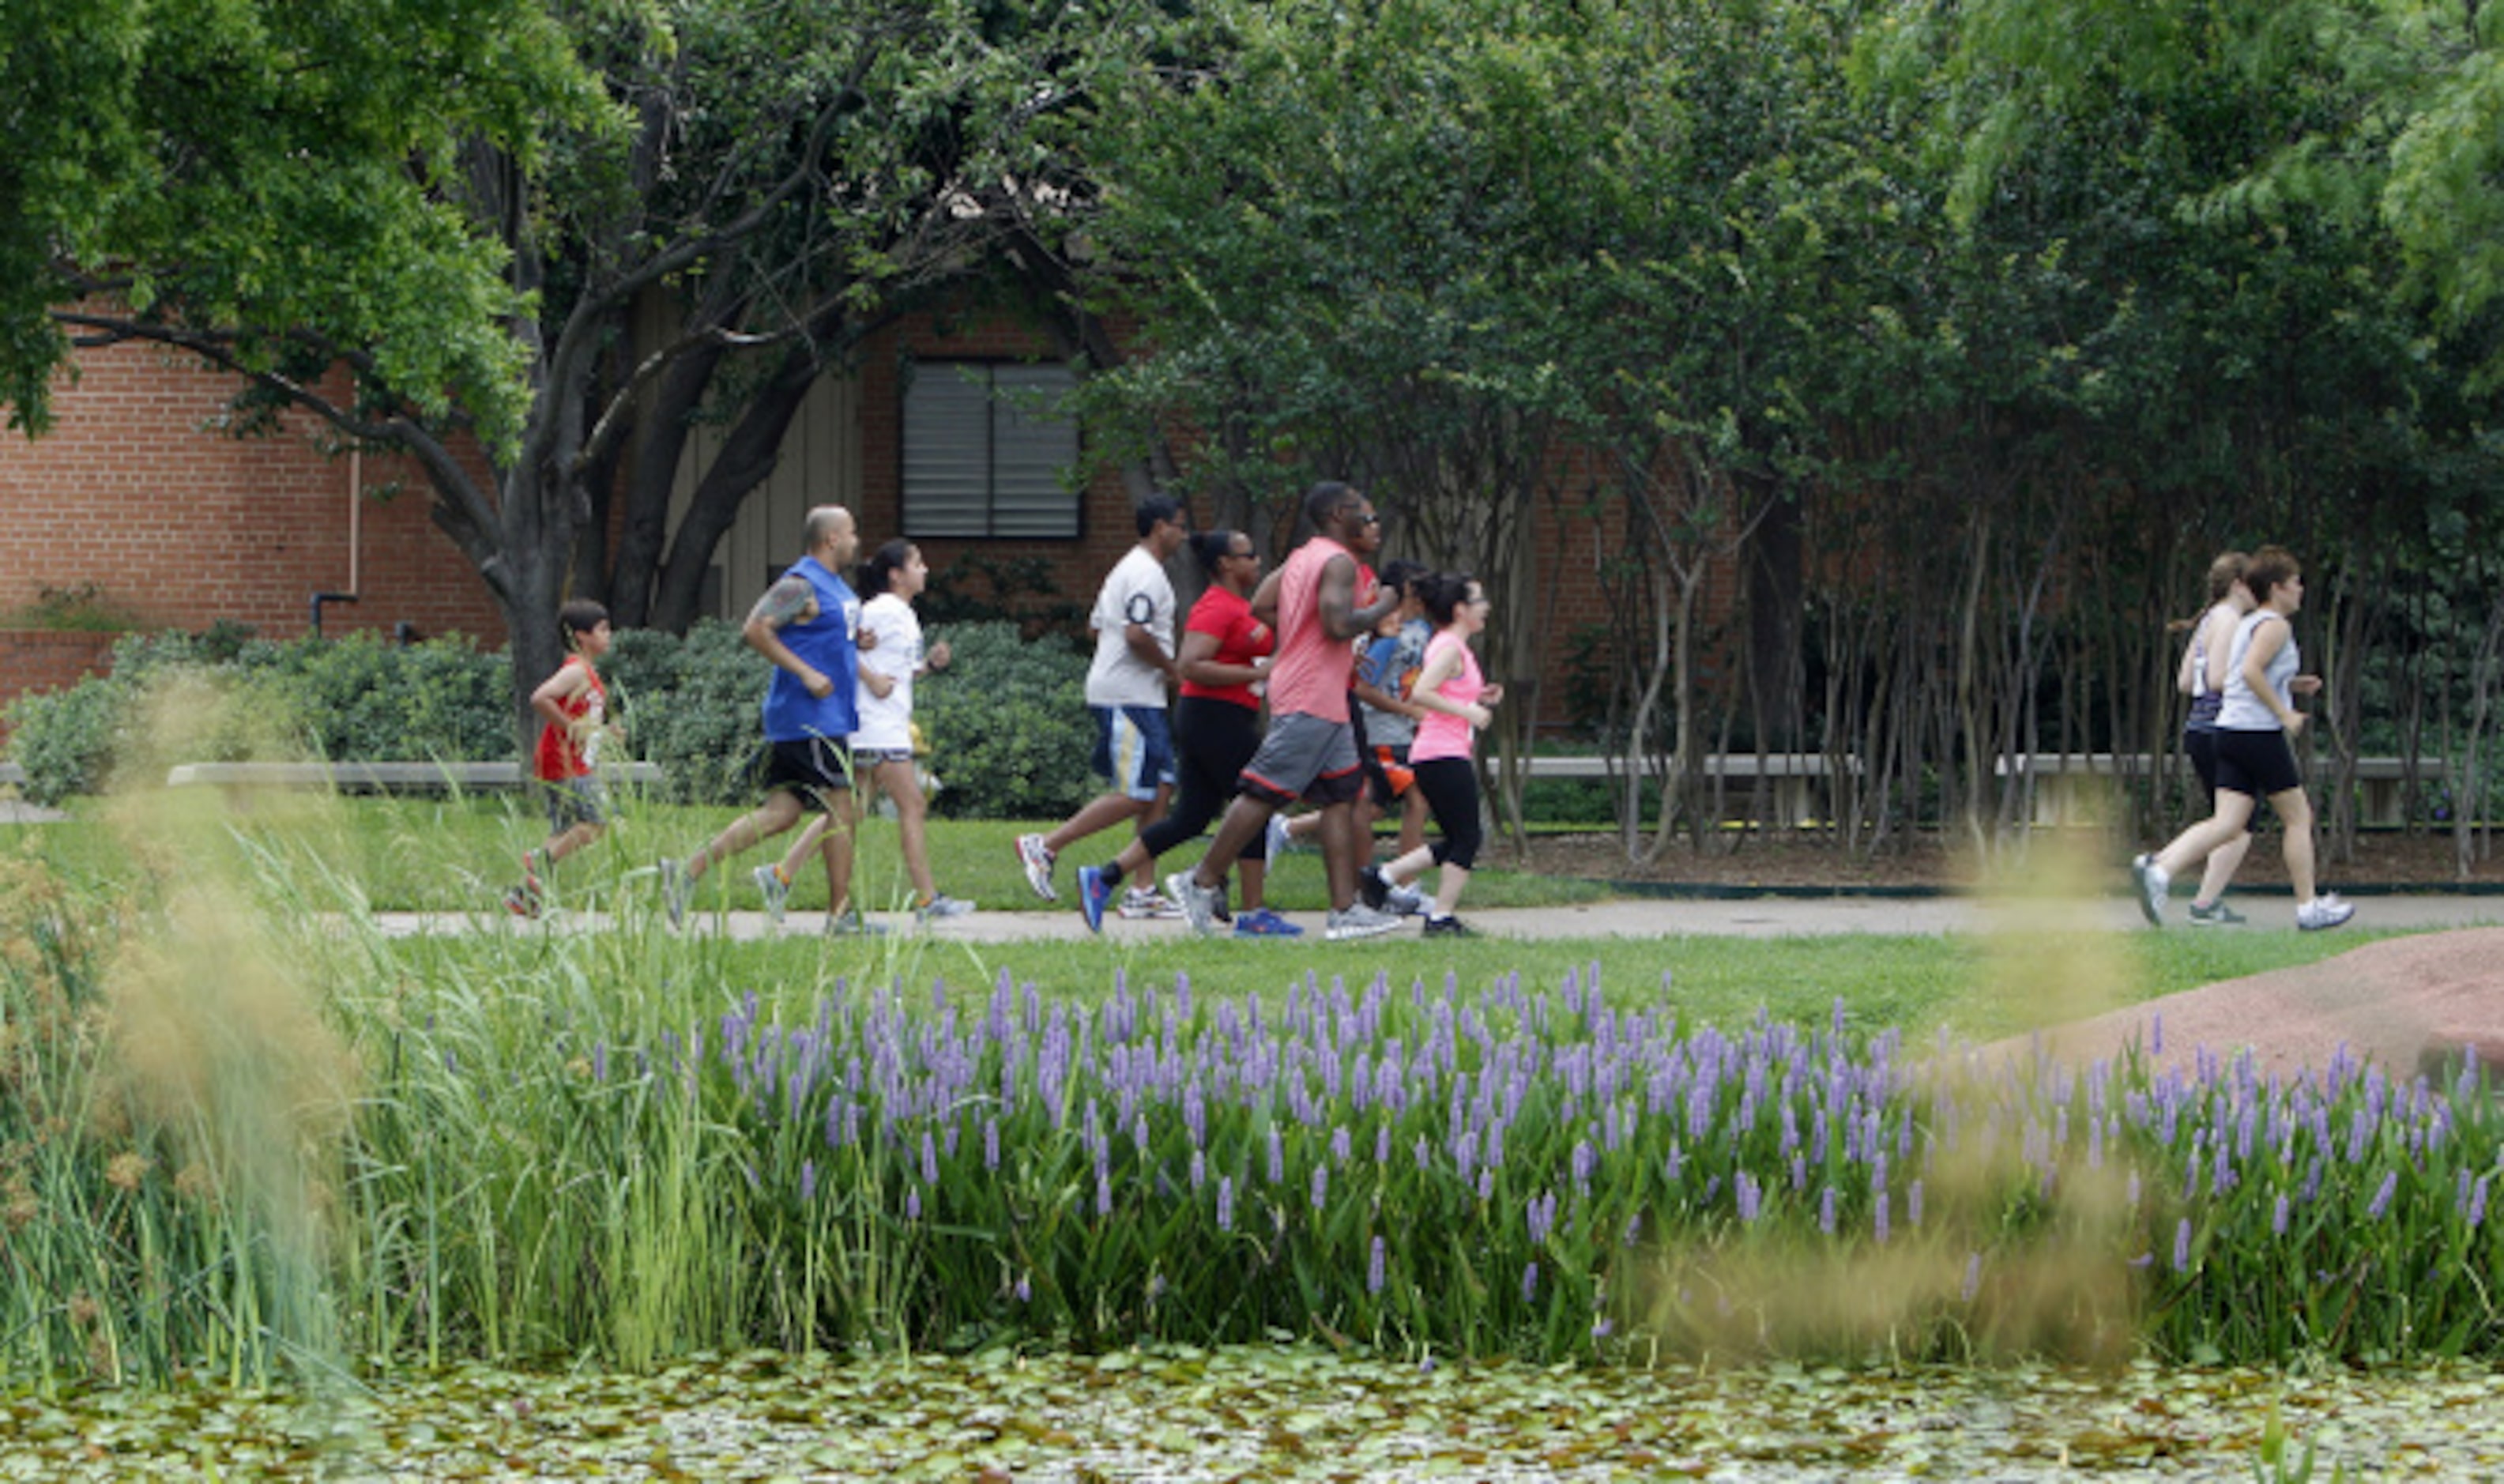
column 1226, row 652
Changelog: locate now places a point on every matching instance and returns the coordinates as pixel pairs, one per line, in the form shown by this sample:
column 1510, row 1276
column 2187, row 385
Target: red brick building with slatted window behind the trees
column 141, row 504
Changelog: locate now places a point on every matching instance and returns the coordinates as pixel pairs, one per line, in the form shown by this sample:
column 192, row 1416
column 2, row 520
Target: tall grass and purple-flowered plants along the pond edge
column 532, row 1147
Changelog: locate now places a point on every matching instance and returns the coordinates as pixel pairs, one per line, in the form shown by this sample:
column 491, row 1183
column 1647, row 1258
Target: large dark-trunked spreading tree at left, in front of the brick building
column 780, row 176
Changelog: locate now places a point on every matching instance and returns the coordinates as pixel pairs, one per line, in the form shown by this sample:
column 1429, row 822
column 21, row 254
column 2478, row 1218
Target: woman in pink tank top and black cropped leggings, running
column 1456, row 699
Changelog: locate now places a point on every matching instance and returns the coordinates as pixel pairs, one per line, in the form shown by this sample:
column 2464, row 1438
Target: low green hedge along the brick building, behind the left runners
column 1008, row 722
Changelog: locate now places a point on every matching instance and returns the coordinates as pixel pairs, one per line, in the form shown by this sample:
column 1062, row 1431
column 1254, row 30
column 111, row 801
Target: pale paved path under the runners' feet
column 1769, row 917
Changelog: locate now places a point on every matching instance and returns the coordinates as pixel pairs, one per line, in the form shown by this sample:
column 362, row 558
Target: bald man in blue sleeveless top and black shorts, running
column 805, row 624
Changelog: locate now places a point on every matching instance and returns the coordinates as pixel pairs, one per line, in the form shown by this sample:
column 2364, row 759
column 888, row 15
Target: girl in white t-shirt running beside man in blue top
column 883, row 750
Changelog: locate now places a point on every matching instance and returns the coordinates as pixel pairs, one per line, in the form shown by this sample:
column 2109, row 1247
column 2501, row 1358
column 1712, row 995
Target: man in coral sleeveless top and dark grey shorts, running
column 1311, row 750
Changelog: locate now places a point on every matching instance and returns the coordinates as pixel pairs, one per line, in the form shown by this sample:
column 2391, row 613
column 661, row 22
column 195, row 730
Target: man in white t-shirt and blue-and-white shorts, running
column 1128, row 689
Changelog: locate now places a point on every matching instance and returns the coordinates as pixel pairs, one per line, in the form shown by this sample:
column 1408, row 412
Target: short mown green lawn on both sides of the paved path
column 417, row 855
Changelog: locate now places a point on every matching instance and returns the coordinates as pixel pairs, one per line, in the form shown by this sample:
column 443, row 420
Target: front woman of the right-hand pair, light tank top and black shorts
column 2255, row 724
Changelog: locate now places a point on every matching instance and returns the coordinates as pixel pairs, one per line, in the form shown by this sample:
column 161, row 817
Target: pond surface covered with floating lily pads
column 1273, row 1413
